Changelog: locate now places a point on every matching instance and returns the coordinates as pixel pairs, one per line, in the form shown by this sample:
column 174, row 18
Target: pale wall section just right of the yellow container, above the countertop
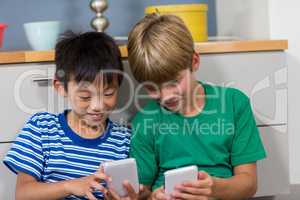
column 245, row 19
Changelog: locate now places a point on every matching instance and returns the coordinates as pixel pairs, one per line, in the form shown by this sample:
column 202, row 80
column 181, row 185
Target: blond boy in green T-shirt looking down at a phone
column 181, row 126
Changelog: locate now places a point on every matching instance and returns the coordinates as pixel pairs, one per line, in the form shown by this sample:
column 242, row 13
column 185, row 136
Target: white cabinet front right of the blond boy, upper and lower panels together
column 263, row 77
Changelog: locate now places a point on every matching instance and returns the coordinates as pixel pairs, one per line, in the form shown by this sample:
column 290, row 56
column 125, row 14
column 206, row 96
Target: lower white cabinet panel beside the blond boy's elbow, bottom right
column 273, row 172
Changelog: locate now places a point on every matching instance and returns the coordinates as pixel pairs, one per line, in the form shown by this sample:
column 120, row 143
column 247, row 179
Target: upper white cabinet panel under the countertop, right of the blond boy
column 262, row 76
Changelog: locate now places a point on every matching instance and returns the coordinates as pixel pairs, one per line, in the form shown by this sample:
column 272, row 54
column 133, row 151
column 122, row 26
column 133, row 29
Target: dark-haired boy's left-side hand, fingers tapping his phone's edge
column 87, row 185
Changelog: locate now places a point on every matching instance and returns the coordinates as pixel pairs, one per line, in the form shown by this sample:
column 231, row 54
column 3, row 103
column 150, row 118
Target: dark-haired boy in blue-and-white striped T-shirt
column 57, row 156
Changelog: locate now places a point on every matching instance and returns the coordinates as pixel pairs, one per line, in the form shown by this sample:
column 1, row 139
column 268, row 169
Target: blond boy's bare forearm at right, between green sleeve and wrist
column 240, row 186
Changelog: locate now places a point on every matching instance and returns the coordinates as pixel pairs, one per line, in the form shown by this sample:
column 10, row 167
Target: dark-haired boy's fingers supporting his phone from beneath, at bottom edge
column 132, row 195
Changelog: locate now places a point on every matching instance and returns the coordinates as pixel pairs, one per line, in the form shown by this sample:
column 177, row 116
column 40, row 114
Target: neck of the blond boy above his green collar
column 195, row 100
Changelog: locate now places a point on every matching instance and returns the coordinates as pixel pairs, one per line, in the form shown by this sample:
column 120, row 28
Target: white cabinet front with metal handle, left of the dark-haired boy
column 24, row 93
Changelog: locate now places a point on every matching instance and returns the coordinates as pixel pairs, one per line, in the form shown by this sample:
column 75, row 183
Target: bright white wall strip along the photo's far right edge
column 284, row 23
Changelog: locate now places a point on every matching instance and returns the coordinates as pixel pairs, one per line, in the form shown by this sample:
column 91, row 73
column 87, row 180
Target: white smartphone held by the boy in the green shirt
column 177, row 176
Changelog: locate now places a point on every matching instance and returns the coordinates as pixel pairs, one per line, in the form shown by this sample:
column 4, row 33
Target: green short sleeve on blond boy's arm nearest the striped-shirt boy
column 142, row 149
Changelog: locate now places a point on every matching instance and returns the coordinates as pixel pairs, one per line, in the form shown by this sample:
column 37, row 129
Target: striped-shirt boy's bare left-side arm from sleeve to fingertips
column 29, row 188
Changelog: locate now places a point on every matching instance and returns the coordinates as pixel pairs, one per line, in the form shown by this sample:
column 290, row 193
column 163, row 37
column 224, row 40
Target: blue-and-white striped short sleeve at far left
column 26, row 154
